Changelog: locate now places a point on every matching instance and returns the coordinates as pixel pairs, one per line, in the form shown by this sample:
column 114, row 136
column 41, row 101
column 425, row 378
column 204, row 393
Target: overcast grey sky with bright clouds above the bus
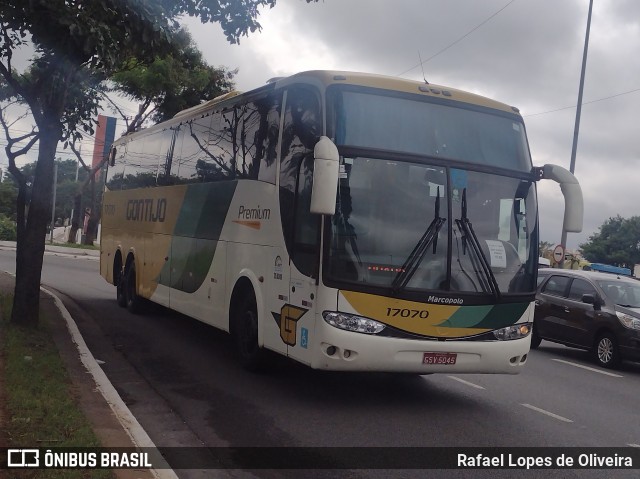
column 527, row 53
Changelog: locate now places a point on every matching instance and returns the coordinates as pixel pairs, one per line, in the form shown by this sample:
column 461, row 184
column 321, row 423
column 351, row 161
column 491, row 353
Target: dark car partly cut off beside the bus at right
column 598, row 312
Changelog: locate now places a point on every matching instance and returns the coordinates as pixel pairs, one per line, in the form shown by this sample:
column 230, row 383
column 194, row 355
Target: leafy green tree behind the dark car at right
column 617, row 242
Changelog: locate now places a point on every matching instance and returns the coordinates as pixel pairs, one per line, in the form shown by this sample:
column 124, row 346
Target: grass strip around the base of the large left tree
column 40, row 407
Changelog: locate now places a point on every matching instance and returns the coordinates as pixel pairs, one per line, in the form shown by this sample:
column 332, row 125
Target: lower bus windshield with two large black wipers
column 421, row 227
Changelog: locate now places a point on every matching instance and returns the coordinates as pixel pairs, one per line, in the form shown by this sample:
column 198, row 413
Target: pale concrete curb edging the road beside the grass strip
column 127, row 420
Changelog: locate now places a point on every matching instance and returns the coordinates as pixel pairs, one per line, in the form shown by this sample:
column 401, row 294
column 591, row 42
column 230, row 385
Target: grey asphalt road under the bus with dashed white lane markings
column 180, row 379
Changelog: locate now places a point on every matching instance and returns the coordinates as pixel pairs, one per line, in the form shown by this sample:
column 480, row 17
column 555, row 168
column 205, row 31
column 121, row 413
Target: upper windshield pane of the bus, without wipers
column 419, row 125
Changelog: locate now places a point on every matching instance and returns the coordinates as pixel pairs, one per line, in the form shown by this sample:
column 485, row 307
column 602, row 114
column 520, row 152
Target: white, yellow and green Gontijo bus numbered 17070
column 348, row 221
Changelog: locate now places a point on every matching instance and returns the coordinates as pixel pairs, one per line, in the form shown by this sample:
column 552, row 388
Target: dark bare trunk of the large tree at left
column 26, row 303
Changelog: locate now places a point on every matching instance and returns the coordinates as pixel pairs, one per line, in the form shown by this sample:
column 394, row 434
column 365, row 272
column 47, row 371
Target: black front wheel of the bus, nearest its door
column 250, row 354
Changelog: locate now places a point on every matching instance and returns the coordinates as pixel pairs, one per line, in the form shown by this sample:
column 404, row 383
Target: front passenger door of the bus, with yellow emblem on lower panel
column 304, row 268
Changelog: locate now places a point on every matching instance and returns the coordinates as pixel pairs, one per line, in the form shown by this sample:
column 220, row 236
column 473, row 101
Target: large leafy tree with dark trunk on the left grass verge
column 77, row 46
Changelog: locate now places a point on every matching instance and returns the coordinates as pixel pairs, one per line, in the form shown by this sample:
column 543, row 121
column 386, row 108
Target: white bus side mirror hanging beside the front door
column 326, row 167
